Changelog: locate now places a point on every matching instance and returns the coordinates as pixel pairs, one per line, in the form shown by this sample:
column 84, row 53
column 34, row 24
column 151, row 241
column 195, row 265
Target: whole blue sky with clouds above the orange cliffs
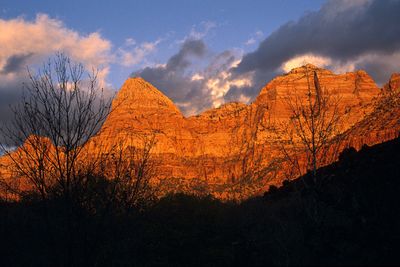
column 201, row 54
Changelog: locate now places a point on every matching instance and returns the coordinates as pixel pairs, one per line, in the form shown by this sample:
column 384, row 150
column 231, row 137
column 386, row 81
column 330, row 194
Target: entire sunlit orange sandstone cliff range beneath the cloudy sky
column 217, row 147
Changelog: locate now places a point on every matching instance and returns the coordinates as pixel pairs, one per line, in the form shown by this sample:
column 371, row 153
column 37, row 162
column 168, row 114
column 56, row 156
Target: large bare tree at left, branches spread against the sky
column 62, row 108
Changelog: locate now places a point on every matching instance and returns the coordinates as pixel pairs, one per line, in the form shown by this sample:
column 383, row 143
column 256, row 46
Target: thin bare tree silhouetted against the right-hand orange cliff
column 315, row 120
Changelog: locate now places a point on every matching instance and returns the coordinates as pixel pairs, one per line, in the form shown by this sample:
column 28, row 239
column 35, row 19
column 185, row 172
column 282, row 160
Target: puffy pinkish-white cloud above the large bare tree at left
column 26, row 43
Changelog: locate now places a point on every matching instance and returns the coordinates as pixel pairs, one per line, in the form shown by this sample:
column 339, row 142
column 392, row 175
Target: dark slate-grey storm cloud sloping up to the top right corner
column 340, row 30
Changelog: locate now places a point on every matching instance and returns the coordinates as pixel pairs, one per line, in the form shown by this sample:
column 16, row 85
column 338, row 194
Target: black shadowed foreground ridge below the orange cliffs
column 350, row 216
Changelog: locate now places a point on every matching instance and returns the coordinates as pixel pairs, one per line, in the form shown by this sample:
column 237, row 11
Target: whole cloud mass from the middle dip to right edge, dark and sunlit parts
column 344, row 35
